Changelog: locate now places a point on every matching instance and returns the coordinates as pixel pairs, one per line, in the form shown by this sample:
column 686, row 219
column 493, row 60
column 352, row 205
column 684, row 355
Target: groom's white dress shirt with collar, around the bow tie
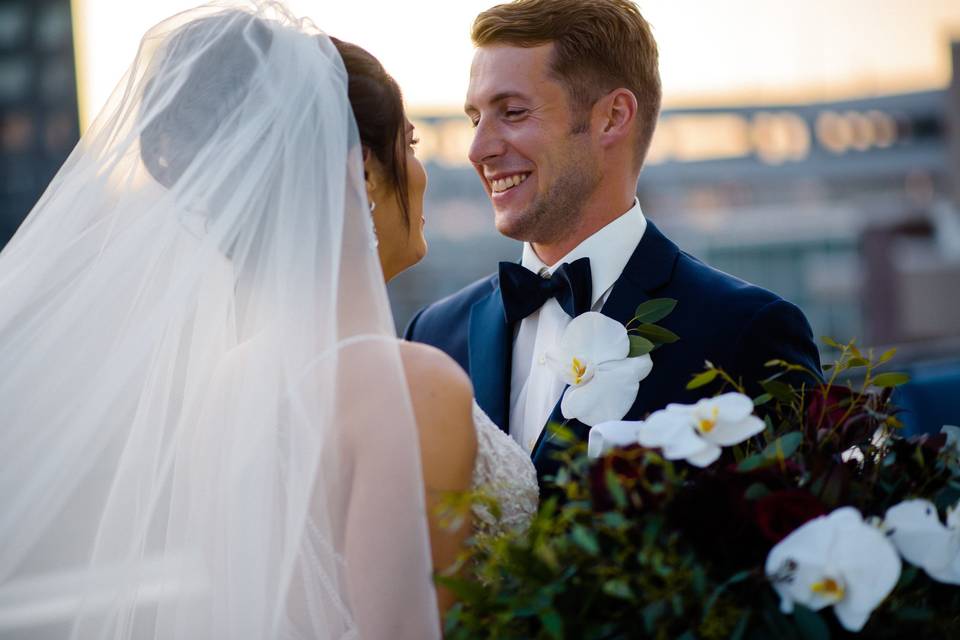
column 534, row 389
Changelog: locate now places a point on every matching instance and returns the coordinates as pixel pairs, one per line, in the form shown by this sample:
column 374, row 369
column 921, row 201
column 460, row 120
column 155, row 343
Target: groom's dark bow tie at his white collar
column 524, row 292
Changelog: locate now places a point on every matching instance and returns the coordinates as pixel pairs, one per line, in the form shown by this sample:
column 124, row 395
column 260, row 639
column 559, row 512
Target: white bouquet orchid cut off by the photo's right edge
column 915, row 529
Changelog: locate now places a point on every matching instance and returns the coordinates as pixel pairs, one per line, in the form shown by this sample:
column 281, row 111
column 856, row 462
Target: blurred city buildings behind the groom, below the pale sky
column 789, row 197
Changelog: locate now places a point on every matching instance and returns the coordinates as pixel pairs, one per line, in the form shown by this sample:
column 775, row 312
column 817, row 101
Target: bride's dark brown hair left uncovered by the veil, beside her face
column 377, row 105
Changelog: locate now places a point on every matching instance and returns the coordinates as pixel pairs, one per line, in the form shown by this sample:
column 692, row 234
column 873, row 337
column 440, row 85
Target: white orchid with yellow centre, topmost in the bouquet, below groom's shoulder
column 696, row 433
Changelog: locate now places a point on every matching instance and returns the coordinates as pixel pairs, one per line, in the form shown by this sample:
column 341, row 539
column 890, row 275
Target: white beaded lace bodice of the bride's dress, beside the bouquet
column 503, row 471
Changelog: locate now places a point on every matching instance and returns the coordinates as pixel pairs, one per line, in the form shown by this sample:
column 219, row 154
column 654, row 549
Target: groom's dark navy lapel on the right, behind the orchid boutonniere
column 649, row 268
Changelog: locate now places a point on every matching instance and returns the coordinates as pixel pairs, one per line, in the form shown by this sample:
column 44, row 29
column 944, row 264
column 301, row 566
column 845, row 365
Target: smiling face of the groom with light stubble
column 537, row 166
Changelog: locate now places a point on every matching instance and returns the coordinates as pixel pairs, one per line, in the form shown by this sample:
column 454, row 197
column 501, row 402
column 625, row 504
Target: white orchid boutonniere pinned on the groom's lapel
column 592, row 357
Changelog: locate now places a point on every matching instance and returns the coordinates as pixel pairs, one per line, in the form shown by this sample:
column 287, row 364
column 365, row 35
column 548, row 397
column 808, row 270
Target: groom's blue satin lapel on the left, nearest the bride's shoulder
column 490, row 344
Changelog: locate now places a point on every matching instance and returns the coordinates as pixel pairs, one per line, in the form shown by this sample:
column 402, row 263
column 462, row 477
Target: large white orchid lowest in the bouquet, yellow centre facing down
column 837, row 560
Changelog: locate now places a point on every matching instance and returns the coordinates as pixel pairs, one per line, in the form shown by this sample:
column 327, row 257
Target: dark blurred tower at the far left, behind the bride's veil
column 39, row 122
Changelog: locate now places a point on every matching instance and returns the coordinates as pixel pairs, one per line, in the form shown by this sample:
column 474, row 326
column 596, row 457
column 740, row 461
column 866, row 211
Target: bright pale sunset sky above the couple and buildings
column 711, row 52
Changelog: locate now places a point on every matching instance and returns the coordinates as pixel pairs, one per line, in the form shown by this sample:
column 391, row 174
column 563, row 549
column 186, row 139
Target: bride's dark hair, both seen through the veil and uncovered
column 174, row 132
